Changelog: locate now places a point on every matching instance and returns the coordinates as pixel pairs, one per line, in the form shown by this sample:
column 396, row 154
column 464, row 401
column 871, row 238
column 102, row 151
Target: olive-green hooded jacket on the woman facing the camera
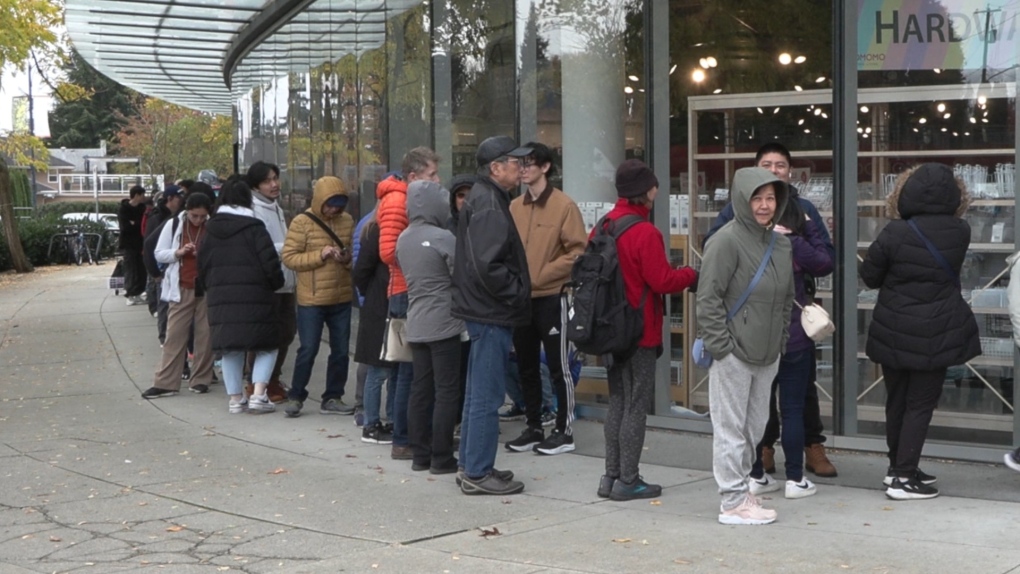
column 759, row 333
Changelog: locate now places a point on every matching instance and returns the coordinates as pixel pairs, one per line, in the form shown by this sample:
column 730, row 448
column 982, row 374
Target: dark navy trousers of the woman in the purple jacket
column 793, row 379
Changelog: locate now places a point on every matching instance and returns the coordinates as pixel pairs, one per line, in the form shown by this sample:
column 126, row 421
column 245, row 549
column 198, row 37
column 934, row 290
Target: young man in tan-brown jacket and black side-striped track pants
column 553, row 233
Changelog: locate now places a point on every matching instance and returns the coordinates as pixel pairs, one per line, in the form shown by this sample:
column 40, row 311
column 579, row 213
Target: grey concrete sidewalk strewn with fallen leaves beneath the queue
column 97, row 481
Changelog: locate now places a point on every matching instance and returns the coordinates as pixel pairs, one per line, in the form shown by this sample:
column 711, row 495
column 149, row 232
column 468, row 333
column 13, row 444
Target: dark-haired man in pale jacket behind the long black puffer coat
column 264, row 179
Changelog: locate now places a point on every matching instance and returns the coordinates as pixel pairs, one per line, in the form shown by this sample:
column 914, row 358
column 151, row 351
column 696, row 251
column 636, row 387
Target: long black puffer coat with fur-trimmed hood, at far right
column 922, row 321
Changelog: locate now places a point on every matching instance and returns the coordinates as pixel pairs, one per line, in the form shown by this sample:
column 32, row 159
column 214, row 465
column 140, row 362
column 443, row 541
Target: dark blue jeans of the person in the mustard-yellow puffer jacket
column 312, row 320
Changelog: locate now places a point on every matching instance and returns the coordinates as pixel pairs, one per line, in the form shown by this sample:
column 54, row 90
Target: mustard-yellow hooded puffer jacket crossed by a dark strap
column 320, row 283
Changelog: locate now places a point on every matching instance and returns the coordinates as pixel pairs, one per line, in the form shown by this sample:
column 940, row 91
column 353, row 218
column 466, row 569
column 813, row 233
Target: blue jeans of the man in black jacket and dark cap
column 487, row 368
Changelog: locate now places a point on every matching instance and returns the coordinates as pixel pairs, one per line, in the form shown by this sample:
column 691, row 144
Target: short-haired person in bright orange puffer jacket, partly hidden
column 420, row 164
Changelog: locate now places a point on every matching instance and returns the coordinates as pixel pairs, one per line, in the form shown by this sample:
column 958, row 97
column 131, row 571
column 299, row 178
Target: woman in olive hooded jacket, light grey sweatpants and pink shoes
column 744, row 318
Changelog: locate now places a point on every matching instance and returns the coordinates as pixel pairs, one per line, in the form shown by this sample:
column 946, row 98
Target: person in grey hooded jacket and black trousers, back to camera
column 426, row 252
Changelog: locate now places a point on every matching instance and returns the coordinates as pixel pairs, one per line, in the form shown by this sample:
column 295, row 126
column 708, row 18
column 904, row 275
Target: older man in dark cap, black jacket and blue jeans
column 493, row 295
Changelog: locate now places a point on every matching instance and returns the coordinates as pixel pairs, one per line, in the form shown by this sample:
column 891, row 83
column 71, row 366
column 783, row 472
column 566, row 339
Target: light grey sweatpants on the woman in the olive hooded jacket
column 739, row 395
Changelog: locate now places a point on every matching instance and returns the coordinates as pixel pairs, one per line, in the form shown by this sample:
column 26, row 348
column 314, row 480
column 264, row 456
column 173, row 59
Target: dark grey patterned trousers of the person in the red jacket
column 631, row 388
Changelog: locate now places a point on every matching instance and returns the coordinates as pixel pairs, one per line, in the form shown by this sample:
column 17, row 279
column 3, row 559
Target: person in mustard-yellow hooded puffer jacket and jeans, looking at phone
column 323, row 263
